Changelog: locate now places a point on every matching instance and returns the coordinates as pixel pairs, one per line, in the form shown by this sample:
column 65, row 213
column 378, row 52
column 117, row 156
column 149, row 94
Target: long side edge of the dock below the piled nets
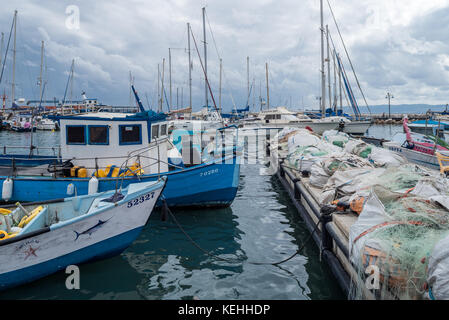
column 330, row 230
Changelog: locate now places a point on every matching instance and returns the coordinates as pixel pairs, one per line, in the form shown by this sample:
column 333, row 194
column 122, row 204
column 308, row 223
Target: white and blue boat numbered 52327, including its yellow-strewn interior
column 52, row 235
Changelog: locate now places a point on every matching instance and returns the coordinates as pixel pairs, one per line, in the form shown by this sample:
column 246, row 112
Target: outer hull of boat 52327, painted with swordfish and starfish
column 103, row 233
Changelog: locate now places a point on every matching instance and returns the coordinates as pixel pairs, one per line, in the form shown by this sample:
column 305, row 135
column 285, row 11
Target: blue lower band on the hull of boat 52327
column 104, row 249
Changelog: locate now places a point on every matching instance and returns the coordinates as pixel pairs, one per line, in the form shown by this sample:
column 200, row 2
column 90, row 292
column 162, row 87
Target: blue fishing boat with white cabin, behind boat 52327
column 99, row 148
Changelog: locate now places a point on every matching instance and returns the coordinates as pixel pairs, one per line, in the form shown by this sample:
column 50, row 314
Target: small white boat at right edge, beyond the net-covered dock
column 417, row 148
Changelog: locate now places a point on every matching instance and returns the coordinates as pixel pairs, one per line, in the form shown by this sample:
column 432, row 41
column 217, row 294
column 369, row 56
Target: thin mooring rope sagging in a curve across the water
column 167, row 209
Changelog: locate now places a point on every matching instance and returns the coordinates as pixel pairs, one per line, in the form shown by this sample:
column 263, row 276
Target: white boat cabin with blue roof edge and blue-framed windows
column 100, row 139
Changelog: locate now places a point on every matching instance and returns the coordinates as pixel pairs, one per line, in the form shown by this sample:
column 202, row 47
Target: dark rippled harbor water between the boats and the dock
column 261, row 225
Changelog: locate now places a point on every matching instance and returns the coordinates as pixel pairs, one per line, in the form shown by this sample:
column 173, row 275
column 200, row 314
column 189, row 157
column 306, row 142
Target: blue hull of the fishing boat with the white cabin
column 181, row 189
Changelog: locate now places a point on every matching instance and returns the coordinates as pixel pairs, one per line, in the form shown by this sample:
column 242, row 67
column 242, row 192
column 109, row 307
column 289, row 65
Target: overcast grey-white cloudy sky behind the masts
column 395, row 45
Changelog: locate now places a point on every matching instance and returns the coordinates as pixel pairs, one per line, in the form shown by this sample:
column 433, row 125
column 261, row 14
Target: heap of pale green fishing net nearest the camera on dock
column 396, row 233
